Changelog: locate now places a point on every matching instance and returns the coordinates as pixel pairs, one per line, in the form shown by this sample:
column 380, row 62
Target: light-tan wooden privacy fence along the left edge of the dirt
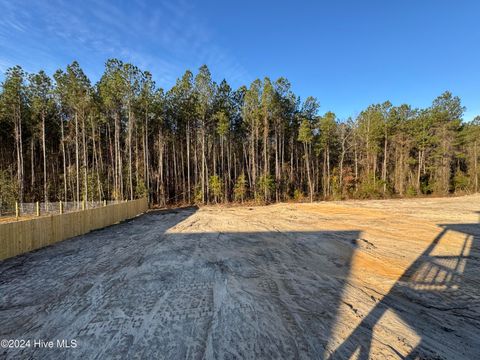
column 19, row 237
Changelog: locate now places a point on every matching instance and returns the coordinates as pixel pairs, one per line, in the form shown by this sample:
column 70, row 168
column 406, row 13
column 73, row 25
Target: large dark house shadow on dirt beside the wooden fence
column 135, row 290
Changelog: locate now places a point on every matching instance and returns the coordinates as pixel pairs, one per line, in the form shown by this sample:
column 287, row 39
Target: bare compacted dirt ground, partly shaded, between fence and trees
column 357, row 279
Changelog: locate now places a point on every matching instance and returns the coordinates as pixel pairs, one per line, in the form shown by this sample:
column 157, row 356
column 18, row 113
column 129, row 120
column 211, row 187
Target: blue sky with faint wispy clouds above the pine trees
column 348, row 54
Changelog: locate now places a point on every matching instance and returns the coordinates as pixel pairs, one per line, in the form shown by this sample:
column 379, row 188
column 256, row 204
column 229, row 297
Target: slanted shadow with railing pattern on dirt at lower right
column 433, row 297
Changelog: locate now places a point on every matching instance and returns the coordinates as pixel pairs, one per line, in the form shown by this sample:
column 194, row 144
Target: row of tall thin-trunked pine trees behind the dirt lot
column 64, row 138
